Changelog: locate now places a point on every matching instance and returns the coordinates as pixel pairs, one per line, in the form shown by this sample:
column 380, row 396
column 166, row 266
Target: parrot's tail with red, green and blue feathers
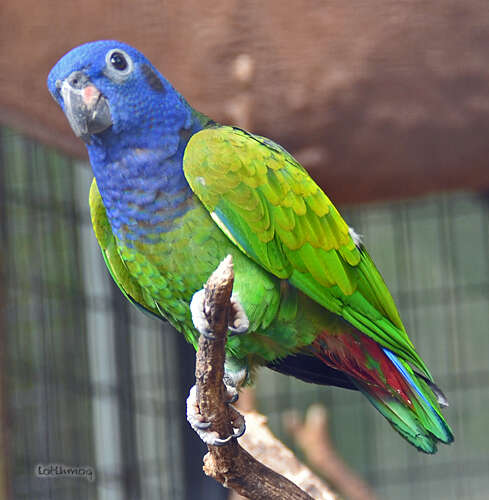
column 404, row 397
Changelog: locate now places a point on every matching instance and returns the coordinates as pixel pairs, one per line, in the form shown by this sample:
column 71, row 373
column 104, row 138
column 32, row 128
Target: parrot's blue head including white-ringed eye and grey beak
column 113, row 97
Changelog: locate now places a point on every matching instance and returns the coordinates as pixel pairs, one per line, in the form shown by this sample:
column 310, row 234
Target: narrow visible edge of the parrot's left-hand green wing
column 116, row 266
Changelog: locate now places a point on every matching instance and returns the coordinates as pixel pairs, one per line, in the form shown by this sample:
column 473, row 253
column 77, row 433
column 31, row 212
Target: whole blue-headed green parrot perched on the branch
column 174, row 193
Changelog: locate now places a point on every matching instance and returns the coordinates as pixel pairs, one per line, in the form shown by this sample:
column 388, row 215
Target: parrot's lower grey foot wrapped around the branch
column 201, row 427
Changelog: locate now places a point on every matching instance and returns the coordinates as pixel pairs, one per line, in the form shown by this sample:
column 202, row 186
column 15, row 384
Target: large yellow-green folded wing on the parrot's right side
column 269, row 206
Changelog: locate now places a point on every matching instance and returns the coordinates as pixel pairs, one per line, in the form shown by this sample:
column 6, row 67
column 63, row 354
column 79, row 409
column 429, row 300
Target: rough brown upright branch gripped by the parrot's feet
column 231, row 465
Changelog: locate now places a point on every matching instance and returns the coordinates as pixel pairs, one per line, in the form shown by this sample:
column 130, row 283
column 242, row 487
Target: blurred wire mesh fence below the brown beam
column 89, row 381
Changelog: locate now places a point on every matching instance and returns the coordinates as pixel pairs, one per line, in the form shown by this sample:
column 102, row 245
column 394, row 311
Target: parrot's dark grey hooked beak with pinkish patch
column 85, row 107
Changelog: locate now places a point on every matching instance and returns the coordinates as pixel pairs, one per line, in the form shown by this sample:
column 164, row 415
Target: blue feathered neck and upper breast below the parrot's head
column 140, row 173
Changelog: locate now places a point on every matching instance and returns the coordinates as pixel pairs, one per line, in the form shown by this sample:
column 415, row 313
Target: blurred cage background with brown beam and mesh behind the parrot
column 385, row 103
